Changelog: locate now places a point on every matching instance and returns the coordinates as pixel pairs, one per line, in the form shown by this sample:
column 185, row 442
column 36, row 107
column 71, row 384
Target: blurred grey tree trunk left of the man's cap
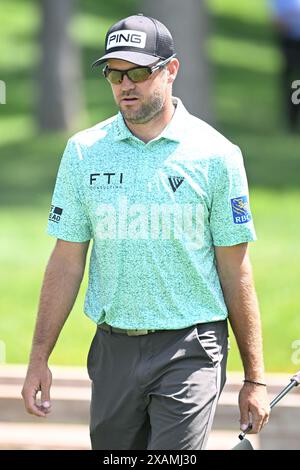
column 60, row 102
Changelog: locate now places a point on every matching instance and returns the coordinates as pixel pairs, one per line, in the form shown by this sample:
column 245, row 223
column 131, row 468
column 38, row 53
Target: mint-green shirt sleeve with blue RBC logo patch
column 230, row 215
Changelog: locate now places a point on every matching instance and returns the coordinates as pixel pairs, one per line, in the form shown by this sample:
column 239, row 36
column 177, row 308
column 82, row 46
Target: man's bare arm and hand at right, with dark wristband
column 235, row 275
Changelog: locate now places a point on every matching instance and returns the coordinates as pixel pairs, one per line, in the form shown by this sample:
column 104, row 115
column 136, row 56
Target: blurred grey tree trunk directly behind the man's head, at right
column 188, row 22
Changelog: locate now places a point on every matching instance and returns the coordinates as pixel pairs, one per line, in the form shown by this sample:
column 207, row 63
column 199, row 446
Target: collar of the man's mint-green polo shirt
column 174, row 131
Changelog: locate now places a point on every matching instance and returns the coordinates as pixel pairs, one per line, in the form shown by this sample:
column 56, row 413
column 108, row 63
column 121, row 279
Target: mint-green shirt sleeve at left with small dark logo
column 68, row 218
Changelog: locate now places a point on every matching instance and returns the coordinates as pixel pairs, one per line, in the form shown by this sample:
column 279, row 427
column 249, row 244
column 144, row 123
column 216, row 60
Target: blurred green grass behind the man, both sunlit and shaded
column 246, row 63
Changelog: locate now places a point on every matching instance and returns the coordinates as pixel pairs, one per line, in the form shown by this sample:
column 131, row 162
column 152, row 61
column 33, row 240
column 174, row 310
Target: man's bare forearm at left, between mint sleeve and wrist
column 59, row 291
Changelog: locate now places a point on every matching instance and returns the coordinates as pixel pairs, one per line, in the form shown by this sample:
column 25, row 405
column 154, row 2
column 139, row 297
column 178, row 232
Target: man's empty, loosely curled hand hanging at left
column 38, row 379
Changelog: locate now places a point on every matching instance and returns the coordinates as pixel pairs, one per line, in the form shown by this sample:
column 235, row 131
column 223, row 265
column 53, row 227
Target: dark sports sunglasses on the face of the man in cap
column 136, row 74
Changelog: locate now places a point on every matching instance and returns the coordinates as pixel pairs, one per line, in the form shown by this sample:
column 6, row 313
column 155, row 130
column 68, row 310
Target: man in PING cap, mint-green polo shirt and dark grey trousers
column 164, row 198
